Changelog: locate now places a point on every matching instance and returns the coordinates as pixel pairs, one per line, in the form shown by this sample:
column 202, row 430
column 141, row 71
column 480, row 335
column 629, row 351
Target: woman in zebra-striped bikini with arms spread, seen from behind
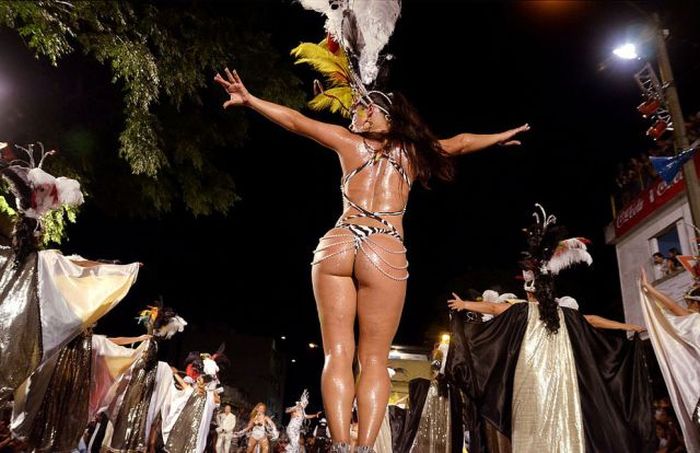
column 359, row 269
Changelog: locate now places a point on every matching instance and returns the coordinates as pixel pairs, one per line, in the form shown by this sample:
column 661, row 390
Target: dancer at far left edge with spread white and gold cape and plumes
column 46, row 299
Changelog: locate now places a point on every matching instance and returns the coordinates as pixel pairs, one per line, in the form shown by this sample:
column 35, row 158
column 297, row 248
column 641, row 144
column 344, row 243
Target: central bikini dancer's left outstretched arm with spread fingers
column 329, row 135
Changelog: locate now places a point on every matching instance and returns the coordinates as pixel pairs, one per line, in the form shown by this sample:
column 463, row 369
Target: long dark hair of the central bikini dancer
column 426, row 157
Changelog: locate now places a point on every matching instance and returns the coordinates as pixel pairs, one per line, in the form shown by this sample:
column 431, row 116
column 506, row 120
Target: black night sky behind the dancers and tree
column 468, row 67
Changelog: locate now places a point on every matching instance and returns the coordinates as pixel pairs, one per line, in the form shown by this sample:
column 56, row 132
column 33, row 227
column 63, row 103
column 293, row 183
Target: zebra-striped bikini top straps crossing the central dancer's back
column 375, row 157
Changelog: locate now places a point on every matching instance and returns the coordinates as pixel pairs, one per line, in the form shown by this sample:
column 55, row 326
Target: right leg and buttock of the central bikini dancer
column 380, row 300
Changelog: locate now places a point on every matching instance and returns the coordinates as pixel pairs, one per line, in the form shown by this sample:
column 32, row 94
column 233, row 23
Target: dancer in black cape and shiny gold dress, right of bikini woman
column 541, row 374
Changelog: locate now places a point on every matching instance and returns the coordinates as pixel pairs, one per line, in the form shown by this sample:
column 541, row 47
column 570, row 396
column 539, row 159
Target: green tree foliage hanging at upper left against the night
column 162, row 56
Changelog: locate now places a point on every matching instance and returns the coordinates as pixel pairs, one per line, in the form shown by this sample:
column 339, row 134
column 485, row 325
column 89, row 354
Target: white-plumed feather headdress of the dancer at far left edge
column 36, row 192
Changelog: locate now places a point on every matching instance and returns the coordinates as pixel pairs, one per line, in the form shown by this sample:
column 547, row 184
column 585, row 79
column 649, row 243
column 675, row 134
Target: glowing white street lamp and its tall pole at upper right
column 680, row 138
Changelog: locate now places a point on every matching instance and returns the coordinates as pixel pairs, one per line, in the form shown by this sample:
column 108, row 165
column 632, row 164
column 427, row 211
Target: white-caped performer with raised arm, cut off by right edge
column 674, row 332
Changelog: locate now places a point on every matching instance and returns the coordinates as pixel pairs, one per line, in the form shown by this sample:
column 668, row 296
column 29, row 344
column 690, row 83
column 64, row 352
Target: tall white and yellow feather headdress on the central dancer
column 349, row 58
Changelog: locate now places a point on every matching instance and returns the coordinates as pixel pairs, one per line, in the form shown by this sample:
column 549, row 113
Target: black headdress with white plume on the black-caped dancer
column 548, row 253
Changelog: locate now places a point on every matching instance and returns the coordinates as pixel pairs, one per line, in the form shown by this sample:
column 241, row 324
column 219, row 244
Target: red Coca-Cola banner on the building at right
column 647, row 202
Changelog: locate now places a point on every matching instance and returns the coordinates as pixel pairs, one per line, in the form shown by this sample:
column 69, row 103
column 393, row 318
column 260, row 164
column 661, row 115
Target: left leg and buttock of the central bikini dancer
column 336, row 300
